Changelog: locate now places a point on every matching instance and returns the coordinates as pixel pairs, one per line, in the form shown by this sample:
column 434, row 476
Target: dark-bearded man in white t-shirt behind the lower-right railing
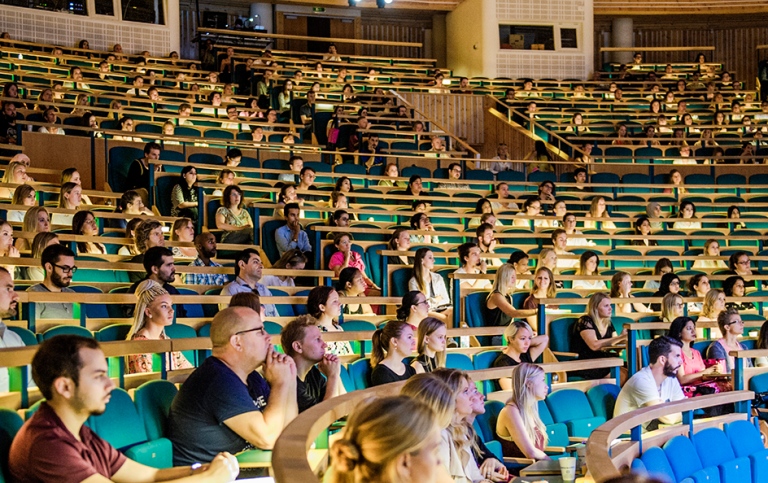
column 655, row 384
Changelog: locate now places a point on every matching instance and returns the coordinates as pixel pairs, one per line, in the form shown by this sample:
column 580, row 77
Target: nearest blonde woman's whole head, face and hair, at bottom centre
column 388, row 440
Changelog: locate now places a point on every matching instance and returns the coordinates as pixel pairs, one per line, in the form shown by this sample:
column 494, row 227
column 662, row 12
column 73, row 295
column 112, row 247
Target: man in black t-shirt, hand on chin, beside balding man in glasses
column 318, row 375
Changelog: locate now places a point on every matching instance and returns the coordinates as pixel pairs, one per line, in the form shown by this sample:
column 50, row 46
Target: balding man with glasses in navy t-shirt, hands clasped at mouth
column 225, row 404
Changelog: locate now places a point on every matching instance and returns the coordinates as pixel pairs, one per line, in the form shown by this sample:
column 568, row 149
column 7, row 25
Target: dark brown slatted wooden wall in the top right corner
column 734, row 39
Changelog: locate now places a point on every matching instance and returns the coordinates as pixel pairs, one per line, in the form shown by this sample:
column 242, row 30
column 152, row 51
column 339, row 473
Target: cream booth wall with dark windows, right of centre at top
column 474, row 48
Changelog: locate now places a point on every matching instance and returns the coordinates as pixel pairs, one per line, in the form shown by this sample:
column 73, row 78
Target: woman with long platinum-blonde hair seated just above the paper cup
column 519, row 426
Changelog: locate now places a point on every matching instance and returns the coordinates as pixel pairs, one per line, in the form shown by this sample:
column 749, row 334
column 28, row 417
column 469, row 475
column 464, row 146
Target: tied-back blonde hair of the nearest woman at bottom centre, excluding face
column 377, row 433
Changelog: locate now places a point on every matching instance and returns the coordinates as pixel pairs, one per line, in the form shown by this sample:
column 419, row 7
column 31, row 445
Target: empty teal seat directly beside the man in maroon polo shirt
column 121, row 426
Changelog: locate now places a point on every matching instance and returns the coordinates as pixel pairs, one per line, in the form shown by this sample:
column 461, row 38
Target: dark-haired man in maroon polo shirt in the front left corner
column 55, row 445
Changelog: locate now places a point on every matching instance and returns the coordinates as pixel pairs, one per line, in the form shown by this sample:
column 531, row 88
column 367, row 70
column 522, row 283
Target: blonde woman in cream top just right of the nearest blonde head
column 459, row 443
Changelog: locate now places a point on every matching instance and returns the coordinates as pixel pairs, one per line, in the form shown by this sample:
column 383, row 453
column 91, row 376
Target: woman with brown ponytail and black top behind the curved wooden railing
column 390, row 345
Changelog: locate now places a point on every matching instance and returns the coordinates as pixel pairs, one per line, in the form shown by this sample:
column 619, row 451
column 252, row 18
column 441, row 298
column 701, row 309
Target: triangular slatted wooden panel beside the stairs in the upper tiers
column 460, row 114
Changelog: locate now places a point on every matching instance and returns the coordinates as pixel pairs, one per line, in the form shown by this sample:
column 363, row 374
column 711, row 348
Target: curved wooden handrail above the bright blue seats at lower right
column 599, row 462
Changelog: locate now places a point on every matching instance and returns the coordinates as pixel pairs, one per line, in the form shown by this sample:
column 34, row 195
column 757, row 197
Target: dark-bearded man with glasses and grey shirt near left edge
column 58, row 261
